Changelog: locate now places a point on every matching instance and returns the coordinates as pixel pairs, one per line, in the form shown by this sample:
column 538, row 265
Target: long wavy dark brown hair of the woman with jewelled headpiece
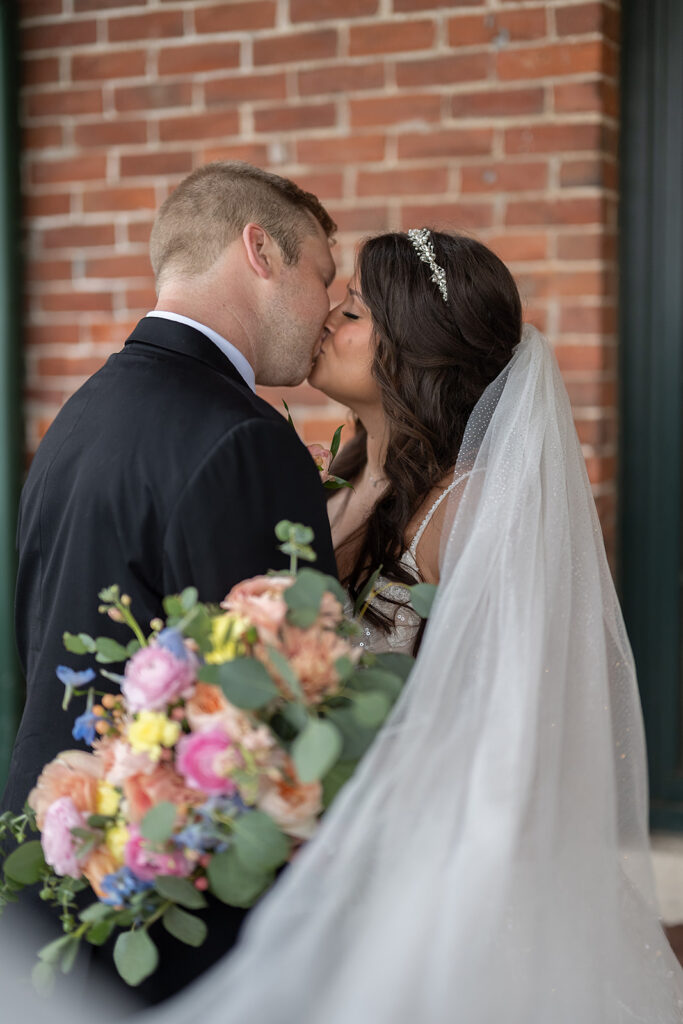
column 434, row 360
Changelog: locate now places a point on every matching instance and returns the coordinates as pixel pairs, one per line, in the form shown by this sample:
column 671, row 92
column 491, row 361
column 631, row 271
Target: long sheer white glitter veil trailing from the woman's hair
column 490, row 861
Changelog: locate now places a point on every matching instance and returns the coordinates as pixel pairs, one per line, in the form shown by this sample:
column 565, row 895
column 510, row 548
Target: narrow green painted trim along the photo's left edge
column 11, row 376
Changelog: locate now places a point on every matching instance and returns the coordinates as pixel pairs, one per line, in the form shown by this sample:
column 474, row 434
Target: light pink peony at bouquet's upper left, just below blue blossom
column 155, row 677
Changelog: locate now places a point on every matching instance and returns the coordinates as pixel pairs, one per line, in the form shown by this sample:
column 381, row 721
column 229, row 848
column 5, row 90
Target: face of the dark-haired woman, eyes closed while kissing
column 343, row 368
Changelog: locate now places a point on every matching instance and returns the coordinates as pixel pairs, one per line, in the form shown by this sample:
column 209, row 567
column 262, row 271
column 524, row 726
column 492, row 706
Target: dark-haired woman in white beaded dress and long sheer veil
column 490, row 860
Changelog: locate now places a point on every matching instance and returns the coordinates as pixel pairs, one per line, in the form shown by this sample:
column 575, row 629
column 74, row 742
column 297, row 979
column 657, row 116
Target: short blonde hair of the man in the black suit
column 211, row 207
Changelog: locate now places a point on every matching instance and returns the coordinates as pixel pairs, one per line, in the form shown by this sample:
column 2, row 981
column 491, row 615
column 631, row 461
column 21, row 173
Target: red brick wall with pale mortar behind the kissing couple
column 495, row 117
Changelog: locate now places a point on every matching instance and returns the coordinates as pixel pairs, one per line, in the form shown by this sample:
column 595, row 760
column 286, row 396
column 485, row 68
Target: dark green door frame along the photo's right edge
column 652, row 380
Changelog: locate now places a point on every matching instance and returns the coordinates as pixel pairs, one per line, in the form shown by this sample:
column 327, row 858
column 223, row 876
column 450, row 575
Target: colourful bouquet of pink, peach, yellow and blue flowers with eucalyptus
column 230, row 732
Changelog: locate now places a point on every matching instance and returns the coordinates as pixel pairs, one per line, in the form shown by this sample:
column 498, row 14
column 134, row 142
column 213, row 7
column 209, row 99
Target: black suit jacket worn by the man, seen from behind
column 164, row 471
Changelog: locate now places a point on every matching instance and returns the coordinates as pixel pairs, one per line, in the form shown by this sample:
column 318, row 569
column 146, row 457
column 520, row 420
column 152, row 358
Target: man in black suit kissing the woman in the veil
column 165, row 470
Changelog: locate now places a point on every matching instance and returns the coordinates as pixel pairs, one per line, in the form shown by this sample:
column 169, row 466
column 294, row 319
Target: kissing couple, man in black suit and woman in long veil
column 490, row 859
